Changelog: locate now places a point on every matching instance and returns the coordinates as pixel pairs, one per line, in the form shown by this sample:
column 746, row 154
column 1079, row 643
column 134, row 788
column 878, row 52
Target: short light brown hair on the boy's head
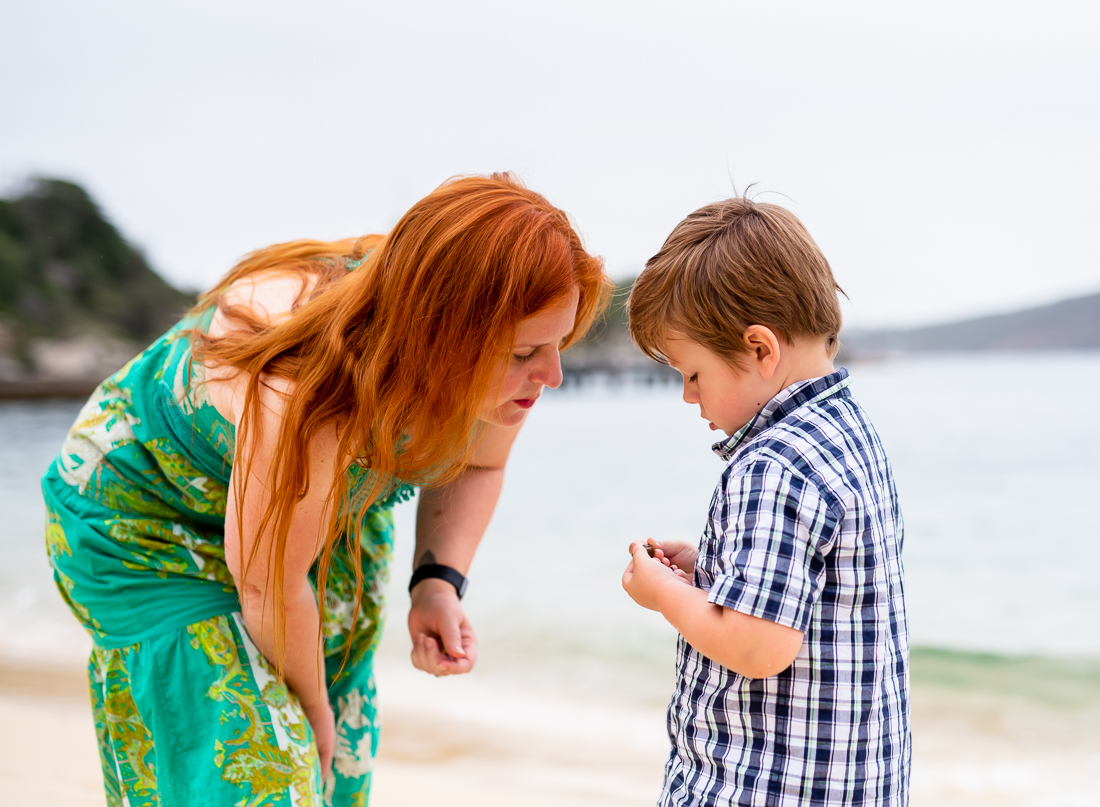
column 731, row 266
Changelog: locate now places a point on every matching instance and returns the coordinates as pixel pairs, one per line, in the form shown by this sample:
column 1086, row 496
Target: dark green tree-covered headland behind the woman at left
column 76, row 300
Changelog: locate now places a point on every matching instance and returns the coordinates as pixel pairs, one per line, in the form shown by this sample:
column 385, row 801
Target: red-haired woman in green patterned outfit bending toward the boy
column 221, row 515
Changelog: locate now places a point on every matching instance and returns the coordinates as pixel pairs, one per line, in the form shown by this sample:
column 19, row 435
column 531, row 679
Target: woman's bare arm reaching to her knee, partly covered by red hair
column 304, row 666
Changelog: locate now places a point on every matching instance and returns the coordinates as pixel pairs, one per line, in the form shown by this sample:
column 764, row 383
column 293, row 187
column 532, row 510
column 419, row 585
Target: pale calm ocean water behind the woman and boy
column 998, row 467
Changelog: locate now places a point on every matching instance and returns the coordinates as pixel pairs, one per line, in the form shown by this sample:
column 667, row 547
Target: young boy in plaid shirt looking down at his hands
column 793, row 666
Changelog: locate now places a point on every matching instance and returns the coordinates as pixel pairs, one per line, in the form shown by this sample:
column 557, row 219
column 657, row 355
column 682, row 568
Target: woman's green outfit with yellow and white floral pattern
column 188, row 711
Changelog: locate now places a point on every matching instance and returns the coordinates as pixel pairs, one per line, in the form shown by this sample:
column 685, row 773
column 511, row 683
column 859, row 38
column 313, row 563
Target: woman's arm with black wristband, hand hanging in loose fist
column 452, row 521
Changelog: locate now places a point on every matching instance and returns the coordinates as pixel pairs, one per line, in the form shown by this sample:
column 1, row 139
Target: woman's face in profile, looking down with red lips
column 535, row 363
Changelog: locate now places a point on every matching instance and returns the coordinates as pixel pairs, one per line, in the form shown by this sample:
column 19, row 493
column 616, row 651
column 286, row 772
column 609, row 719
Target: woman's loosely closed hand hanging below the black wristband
column 444, row 644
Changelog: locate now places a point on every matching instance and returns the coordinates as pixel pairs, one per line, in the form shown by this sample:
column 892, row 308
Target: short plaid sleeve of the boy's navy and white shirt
column 773, row 530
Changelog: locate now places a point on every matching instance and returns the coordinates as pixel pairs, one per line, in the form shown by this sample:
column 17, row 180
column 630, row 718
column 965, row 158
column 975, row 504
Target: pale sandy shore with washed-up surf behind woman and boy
column 987, row 732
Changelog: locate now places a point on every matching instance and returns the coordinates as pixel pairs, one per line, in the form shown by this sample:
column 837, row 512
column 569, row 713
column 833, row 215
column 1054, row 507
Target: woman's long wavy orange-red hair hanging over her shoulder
column 399, row 355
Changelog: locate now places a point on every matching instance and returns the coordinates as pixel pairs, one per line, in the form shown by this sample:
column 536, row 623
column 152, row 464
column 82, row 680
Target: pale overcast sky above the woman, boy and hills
column 944, row 156
